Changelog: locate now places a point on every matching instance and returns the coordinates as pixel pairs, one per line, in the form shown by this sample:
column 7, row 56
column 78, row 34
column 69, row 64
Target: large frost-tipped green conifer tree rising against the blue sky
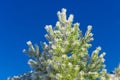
column 66, row 56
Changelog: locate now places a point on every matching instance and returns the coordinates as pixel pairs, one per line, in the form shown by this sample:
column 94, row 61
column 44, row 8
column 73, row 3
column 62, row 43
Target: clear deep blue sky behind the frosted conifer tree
column 23, row 20
